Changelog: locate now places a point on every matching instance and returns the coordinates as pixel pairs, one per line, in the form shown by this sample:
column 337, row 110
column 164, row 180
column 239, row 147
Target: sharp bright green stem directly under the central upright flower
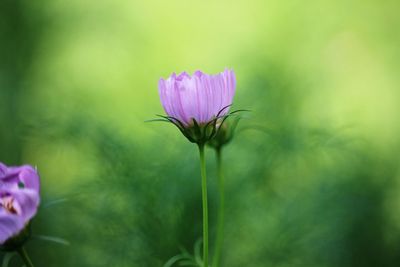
column 205, row 204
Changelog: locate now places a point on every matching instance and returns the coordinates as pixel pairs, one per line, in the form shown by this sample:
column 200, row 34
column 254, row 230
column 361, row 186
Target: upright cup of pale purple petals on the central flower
column 200, row 97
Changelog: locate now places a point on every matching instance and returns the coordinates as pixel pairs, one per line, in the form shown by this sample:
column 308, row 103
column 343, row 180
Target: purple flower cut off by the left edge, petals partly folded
column 19, row 199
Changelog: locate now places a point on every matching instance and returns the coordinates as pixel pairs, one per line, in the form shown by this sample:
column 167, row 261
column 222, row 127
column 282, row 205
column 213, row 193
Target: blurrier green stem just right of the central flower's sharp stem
column 221, row 213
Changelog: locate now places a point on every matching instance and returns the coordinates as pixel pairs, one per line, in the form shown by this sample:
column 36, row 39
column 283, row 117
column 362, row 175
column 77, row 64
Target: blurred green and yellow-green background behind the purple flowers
column 312, row 177
